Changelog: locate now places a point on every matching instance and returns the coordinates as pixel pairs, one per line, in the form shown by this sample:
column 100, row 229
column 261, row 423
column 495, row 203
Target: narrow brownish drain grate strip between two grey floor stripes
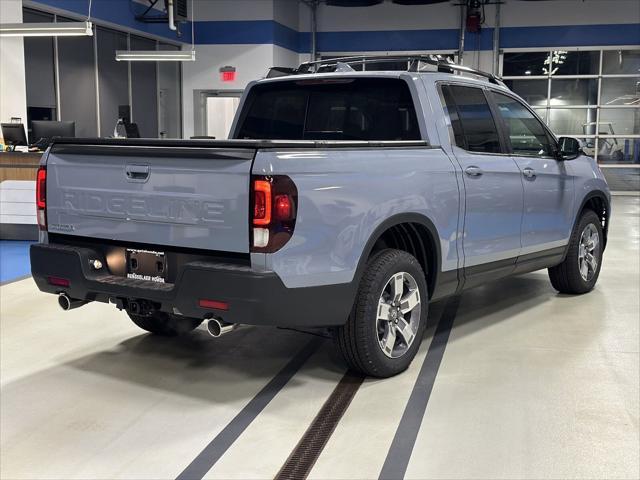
column 304, row 456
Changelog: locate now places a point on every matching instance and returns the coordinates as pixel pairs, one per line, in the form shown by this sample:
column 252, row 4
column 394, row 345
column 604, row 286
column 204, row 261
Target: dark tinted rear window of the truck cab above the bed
column 349, row 109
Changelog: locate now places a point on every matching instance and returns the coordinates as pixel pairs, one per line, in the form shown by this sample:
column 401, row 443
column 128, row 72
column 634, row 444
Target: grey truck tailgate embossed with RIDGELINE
column 190, row 197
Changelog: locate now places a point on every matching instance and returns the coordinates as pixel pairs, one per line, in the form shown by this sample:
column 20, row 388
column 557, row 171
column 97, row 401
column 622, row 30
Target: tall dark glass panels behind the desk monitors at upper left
column 78, row 79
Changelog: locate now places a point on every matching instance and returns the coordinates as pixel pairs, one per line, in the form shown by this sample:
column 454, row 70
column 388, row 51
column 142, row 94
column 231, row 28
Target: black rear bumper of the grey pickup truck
column 255, row 298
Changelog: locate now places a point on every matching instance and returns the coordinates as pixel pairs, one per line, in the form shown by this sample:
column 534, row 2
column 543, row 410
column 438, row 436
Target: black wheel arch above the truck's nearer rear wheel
column 412, row 232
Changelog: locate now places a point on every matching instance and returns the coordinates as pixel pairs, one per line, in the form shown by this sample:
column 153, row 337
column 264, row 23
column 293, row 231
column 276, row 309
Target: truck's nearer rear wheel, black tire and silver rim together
column 385, row 328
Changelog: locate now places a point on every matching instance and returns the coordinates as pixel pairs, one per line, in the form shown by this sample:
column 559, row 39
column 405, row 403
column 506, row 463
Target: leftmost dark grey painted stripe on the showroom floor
column 197, row 469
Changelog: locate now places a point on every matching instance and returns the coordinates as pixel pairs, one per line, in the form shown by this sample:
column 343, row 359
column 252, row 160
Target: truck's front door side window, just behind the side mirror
column 526, row 133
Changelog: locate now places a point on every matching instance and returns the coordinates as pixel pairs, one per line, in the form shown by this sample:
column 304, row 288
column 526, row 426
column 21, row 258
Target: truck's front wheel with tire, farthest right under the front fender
column 579, row 272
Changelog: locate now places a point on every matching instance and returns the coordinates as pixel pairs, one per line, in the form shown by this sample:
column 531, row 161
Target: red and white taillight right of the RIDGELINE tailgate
column 274, row 206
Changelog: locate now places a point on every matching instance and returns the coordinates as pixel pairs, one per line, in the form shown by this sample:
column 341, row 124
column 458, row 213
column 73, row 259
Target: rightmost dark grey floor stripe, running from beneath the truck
column 395, row 465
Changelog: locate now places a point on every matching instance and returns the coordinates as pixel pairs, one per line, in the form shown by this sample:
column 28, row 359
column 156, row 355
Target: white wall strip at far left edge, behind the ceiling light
column 13, row 93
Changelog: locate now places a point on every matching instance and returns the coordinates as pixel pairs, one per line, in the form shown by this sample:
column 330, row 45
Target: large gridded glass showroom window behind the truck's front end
column 593, row 94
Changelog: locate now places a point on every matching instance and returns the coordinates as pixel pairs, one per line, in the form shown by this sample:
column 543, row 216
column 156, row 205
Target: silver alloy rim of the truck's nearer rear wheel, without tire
column 398, row 315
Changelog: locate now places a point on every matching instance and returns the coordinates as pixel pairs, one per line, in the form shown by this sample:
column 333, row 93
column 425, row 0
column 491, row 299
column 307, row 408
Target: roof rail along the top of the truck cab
column 415, row 63
